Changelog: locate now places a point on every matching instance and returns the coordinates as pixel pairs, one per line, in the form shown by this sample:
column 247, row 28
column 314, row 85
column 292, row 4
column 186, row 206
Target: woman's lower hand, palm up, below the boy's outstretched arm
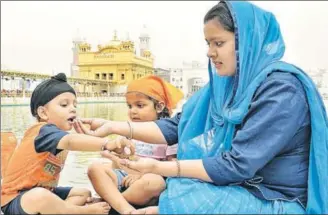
column 142, row 165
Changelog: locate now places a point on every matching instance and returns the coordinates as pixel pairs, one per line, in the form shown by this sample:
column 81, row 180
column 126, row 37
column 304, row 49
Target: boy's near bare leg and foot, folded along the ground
column 41, row 201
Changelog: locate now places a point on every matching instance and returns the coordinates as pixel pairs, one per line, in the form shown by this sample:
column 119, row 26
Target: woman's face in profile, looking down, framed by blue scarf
column 221, row 47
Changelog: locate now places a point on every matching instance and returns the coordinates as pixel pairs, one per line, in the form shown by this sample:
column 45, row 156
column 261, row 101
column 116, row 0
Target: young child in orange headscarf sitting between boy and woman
column 148, row 99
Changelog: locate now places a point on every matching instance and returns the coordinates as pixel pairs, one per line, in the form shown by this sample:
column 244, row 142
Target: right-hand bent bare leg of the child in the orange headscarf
column 146, row 188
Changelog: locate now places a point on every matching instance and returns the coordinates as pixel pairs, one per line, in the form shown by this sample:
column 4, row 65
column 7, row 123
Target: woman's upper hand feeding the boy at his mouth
column 98, row 127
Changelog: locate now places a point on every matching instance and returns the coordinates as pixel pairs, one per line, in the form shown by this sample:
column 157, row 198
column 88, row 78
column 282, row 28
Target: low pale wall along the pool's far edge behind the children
column 13, row 101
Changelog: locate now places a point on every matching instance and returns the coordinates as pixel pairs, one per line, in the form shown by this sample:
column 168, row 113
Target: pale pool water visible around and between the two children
column 19, row 118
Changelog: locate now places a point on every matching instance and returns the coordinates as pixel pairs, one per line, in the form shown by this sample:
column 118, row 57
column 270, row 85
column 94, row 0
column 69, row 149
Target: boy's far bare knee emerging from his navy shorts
column 79, row 196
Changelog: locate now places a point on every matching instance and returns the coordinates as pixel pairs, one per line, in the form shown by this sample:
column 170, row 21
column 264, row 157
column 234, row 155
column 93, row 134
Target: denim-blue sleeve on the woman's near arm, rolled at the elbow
column 276, row 113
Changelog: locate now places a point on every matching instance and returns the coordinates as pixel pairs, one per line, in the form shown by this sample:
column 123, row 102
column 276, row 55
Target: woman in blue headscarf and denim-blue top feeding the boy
column 253, row 140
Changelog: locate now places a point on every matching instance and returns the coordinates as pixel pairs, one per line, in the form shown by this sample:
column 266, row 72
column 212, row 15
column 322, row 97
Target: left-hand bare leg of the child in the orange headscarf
column 104, row 181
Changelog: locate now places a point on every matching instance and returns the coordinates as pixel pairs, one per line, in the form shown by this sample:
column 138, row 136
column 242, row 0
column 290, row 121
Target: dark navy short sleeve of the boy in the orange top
column 48, row 139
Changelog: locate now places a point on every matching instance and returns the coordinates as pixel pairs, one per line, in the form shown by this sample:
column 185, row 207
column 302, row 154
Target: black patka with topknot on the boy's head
column 48, row 90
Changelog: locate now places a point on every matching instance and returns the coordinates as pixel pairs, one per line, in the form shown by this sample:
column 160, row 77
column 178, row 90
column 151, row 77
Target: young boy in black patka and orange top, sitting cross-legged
column 29, row 183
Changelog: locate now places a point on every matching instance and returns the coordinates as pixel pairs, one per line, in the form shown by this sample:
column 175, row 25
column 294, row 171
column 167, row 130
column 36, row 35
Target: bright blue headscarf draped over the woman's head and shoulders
column 223, row 103
